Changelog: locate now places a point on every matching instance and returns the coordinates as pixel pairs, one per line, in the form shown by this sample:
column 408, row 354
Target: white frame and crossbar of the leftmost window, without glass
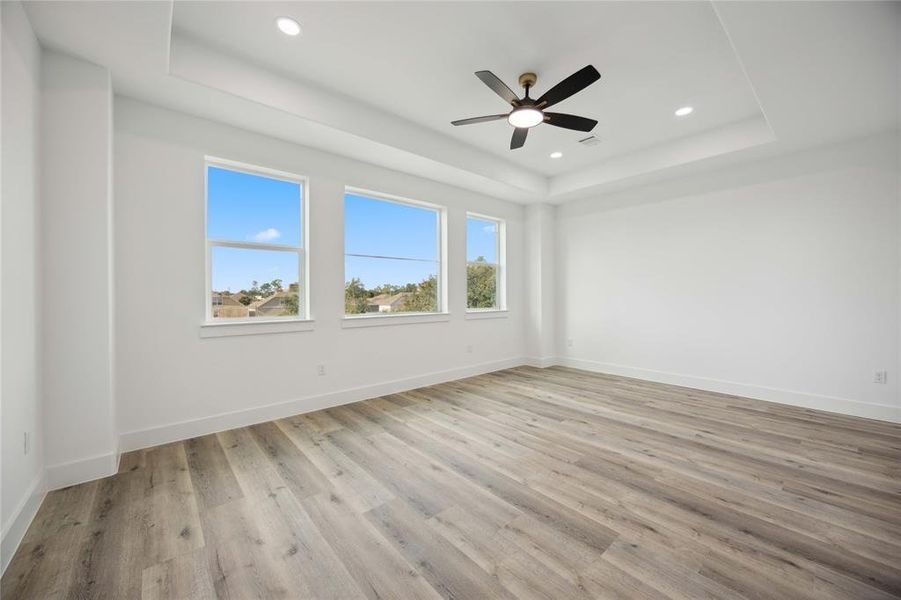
column 301, row 250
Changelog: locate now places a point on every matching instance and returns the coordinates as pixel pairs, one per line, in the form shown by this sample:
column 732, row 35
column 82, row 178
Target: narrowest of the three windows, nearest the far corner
column 484, row 263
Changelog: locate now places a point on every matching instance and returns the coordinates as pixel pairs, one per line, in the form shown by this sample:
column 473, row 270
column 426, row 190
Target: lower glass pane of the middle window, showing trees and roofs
column 385, row 285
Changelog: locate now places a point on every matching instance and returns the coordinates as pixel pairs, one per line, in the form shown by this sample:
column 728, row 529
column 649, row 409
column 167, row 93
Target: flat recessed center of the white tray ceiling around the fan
column 417, row 61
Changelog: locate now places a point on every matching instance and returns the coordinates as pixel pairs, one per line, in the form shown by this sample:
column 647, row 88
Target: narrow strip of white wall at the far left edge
column 20, row 314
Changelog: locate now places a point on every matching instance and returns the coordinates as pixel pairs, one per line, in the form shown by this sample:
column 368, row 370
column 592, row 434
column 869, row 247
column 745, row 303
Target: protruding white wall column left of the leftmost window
column 76, row 192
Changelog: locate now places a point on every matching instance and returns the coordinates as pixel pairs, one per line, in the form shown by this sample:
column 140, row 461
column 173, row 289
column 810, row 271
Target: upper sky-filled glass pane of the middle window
column 379, row 228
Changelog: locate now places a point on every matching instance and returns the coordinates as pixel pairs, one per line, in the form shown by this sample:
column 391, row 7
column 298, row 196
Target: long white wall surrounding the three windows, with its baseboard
column 171, row 383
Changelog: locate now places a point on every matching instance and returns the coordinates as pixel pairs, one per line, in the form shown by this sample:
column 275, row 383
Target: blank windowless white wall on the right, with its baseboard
column 777, row 280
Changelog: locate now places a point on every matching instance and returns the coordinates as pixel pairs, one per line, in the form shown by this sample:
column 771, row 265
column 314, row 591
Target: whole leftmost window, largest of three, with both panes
column 255, row 244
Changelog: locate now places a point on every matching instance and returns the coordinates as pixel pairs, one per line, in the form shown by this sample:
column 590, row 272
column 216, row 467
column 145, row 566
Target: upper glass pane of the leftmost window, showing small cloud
column 252, row 208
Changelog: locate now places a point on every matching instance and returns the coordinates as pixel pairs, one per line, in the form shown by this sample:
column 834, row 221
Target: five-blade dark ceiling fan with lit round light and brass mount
column 528, row 113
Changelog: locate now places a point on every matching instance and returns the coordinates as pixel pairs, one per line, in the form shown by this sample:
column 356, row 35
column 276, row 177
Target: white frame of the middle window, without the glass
column 354, row 320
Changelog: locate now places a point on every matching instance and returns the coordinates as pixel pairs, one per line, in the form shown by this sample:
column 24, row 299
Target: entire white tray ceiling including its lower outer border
column 381, row 81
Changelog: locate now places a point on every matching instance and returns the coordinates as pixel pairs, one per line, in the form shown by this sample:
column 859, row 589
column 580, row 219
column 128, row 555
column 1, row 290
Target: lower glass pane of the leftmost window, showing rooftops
column 254, row 283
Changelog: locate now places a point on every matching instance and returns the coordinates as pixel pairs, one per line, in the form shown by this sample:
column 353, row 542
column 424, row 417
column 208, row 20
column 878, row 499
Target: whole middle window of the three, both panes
column 392, row 255
